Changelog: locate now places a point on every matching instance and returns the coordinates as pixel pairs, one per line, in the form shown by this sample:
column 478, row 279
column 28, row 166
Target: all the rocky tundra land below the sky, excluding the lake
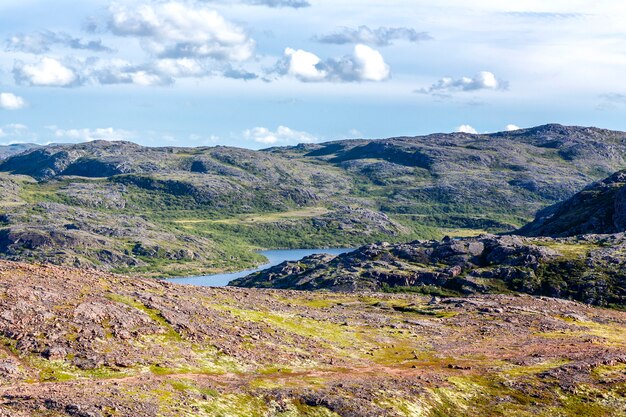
column 453, row 302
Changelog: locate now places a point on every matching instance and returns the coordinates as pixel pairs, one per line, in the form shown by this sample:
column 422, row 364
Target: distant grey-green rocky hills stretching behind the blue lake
column 121, row 207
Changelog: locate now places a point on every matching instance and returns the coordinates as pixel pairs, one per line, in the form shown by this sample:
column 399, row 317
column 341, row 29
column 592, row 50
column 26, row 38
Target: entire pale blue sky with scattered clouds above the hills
column 261, row 73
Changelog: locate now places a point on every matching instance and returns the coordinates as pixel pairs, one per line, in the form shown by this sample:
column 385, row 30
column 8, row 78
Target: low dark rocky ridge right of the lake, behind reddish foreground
column 591, row 269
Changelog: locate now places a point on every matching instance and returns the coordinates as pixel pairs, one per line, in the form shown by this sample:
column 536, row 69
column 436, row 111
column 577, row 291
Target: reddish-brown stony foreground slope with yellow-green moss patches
column 86, row 343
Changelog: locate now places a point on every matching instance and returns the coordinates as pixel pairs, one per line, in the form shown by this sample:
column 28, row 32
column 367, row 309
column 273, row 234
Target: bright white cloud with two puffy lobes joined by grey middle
column 365, row 64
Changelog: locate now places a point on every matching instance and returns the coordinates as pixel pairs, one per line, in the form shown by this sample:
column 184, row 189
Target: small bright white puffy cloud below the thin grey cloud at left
column 47, row 72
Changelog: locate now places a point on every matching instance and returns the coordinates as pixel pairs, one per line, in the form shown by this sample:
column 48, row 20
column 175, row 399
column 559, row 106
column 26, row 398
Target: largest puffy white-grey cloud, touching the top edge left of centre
column 182, row 30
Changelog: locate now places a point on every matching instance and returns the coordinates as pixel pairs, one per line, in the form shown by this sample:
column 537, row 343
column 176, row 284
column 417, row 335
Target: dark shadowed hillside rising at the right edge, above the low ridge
column 599, row 208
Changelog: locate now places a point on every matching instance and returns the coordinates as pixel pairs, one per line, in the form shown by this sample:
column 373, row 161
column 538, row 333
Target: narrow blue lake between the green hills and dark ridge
column 274, row 257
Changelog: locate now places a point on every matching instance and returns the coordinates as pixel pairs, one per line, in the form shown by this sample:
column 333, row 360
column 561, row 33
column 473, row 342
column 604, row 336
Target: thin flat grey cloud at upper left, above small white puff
column 41, row 42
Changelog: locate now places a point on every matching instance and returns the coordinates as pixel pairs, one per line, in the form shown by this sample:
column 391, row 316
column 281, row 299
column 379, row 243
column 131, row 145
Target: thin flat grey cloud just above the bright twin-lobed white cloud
column 382, row 36
